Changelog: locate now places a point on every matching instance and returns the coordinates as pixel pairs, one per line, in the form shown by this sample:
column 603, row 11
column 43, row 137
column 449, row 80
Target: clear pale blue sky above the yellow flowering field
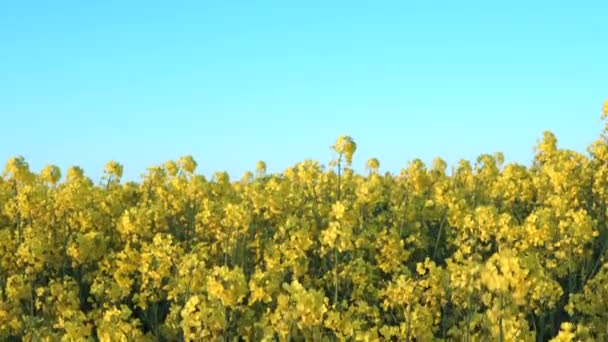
column 232, row 82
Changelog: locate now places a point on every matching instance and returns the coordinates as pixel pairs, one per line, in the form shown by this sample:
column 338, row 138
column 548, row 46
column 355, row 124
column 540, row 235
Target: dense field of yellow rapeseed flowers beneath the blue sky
column 485, row 252
